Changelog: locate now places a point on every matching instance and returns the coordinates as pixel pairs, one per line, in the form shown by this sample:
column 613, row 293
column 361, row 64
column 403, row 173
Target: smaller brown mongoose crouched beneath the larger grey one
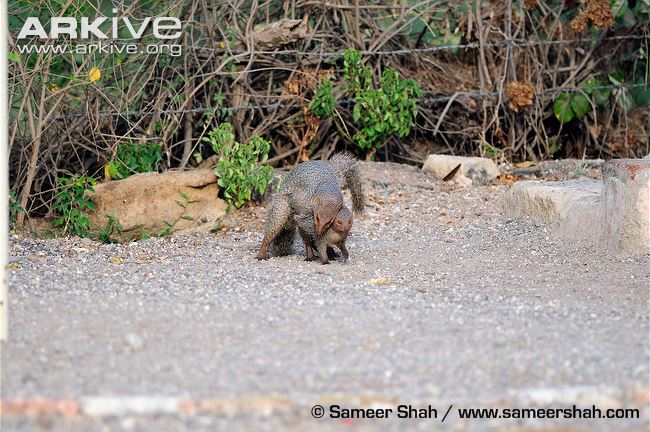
column 335, row 235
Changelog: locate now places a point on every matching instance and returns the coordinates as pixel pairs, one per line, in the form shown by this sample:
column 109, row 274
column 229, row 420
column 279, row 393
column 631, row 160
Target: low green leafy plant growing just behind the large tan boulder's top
column 133, row 158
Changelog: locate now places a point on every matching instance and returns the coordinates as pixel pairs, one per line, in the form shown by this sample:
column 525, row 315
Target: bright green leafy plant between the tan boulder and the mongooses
column 239, row 170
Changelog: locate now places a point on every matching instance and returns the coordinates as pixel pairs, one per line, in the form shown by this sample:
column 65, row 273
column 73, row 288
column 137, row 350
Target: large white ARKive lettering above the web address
column 163, row 27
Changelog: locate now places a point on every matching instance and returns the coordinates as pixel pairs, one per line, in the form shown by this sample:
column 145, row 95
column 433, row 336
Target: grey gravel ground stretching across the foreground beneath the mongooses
column 443, row 300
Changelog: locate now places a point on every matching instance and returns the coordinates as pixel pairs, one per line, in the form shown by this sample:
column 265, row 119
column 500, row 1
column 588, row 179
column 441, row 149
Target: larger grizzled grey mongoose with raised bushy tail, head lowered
column 312, row 189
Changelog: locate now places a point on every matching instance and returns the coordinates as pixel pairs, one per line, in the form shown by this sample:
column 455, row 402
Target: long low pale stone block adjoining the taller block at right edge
column 572, row 206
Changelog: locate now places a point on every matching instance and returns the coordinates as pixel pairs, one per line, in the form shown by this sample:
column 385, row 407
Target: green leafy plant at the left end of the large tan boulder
column 71, row 202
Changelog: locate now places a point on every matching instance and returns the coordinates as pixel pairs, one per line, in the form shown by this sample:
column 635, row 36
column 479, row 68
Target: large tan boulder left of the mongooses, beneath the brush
column 151, row 202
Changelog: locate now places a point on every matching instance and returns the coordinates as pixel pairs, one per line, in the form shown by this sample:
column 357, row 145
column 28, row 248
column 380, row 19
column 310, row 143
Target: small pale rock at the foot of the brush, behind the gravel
column 479, row 170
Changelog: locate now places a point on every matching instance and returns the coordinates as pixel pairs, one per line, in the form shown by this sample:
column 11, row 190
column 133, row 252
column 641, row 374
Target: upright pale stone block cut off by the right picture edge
column 625, row 205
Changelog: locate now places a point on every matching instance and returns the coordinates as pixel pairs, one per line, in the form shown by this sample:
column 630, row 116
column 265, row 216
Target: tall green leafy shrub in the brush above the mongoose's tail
column 380, row 112
